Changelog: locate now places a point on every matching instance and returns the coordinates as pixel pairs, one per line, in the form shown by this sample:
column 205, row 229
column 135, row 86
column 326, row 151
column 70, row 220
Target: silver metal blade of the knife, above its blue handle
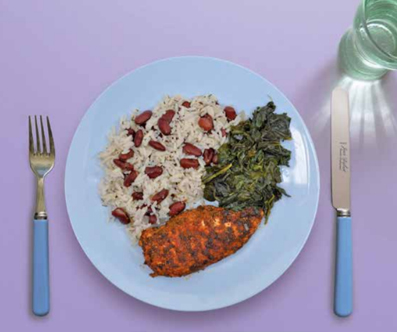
column 340, row 142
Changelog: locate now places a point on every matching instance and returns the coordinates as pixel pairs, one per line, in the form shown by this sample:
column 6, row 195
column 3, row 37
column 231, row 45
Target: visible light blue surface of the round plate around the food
column 271, row 250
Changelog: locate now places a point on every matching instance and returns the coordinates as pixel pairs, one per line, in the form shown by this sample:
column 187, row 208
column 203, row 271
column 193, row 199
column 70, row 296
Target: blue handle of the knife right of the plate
column 343, row 305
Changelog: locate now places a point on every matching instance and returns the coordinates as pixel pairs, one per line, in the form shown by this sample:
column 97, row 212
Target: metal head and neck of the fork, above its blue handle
column 41, row 160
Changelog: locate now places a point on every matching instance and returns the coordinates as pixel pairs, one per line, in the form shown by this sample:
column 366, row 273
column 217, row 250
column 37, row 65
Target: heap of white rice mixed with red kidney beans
column 126, row 186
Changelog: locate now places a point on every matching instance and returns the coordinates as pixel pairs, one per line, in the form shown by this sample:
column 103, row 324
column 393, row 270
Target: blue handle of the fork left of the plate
column 41, row 285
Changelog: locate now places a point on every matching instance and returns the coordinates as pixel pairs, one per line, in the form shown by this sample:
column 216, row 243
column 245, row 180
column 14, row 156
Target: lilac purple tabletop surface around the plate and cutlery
column 57, row 56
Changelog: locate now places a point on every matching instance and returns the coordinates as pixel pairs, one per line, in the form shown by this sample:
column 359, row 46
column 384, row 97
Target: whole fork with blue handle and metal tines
column 41, row 162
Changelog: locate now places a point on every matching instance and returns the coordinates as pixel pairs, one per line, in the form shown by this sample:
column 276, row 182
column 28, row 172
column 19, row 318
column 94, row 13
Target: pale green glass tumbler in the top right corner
column 369, row 49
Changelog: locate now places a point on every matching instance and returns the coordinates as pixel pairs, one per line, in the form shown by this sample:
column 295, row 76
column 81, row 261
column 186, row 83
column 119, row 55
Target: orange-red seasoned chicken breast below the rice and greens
column 197, row 238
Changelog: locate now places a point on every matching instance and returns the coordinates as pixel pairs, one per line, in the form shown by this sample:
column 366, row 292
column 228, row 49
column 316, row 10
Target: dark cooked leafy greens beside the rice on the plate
column 248, row 172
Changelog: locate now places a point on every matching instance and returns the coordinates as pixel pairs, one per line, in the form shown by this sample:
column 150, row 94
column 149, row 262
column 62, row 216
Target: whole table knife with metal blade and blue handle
column 340, row 150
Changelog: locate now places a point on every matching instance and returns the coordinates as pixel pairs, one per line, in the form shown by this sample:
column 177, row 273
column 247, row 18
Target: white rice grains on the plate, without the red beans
column 183, row 184
